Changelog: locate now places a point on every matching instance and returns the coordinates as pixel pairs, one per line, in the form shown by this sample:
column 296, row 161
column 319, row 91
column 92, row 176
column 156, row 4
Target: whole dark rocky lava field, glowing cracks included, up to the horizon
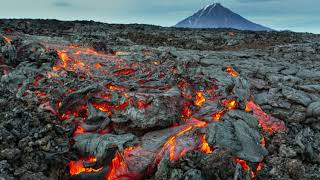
column 87, row 100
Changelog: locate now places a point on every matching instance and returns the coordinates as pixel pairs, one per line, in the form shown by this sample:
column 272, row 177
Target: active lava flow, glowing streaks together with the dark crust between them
column 112, row 94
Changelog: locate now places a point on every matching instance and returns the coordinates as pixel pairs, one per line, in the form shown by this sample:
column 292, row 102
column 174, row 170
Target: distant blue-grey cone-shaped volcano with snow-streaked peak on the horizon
column 218, row 16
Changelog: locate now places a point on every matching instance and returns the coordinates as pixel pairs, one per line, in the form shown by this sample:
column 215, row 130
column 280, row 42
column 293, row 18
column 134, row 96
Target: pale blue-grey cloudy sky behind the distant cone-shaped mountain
column 296, row 15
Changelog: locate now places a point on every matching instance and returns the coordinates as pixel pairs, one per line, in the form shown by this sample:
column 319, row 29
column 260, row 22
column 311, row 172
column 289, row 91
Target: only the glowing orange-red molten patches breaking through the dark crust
column 174, row 147
